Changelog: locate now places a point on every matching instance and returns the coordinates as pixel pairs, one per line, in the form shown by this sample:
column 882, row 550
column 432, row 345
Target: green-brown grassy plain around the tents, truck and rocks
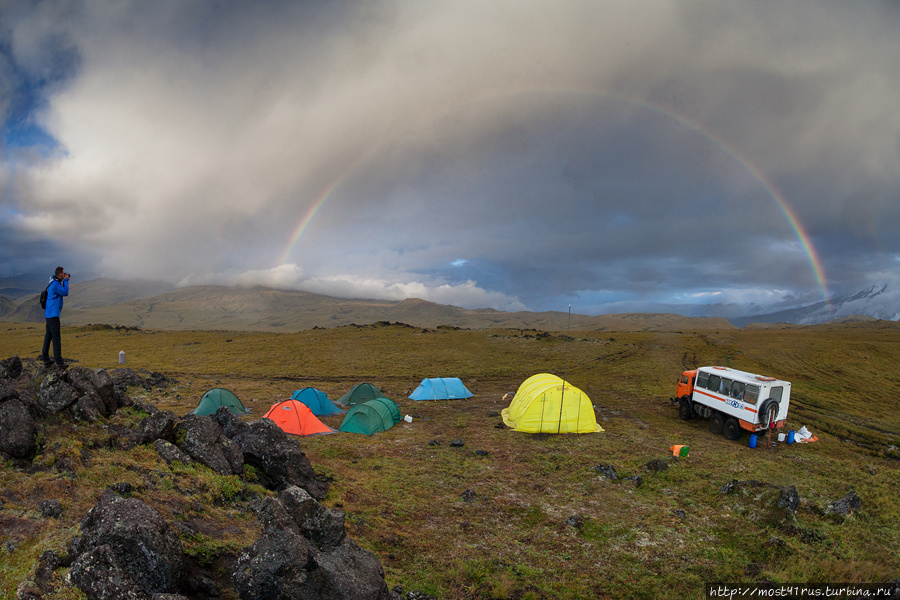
column 531, row 518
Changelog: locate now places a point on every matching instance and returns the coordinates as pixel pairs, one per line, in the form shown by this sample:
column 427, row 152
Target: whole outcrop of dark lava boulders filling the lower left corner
column 128, row 551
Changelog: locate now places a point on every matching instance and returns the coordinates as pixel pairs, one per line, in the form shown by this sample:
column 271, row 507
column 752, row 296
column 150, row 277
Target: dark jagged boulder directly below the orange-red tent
column 279, row 461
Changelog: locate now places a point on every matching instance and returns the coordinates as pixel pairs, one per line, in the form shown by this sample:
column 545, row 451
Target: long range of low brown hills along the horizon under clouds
column 263, row 309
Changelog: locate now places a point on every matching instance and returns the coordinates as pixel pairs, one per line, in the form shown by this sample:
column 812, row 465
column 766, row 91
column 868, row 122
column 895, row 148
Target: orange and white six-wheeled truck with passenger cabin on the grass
column 733, row 400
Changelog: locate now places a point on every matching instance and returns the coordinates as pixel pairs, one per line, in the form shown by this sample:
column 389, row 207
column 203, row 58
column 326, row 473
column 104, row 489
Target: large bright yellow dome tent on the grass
column 545, row 403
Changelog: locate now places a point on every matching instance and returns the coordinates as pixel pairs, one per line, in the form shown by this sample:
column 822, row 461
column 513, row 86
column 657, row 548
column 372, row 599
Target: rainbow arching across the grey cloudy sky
column 754, row 171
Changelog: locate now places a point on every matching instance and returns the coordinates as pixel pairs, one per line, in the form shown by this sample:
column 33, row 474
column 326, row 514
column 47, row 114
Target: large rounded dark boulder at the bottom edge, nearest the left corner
column 126, row 550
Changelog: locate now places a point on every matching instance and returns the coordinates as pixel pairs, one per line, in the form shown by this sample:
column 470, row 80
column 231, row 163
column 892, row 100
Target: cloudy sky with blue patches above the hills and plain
column 702, row 157
